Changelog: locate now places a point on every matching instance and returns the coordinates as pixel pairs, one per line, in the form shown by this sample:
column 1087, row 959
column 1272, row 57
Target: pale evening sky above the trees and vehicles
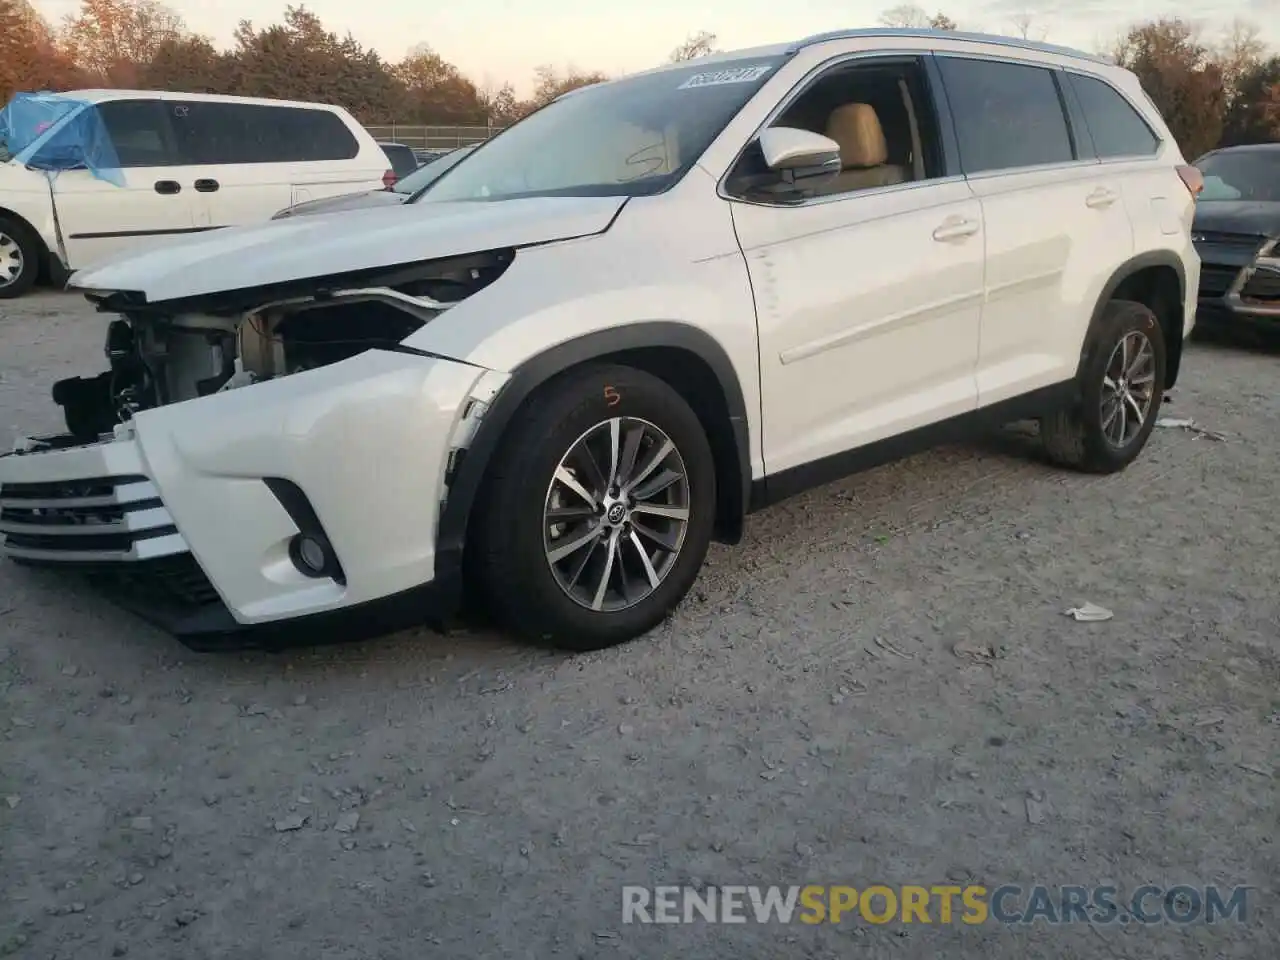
column 499, row 42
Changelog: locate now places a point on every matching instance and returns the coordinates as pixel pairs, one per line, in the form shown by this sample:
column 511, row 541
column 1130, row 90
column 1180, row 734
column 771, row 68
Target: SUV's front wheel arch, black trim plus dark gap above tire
column 684, row 356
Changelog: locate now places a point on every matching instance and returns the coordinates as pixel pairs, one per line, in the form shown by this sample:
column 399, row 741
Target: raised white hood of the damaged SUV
column 298, row 249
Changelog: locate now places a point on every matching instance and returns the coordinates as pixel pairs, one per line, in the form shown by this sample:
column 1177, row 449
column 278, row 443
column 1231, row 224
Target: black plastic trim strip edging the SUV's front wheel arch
column 469, row 473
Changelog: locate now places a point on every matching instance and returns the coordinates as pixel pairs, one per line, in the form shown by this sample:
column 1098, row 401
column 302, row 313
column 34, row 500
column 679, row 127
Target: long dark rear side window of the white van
column 216, row 132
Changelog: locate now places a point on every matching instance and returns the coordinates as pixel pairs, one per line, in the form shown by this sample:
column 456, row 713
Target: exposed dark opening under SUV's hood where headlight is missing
column 184, row 350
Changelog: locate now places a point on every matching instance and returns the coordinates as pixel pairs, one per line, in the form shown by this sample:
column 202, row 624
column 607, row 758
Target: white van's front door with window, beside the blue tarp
column 99, row 220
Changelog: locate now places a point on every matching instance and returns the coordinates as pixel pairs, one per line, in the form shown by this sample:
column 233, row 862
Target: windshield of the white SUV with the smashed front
column 630, row 138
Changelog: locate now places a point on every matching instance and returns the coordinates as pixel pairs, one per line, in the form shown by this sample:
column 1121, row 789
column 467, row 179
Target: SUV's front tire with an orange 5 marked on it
column 511, row 557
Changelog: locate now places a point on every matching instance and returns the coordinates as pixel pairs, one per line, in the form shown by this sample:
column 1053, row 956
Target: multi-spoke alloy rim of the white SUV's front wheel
column 616, row 514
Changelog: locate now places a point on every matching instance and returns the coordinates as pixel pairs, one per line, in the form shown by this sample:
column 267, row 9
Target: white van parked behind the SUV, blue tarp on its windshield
column 189, row 163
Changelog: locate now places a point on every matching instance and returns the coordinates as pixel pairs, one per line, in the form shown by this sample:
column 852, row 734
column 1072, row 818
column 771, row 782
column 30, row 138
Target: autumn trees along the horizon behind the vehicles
column 1212, row 90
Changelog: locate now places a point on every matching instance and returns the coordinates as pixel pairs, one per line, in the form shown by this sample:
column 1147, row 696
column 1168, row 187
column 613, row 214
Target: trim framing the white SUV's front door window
column 941, row 111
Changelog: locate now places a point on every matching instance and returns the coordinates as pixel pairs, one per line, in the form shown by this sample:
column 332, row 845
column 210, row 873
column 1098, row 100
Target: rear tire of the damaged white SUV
column 1090, row 438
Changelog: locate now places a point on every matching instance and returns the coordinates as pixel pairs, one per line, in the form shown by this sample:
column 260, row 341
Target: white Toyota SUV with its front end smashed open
column 618, row 328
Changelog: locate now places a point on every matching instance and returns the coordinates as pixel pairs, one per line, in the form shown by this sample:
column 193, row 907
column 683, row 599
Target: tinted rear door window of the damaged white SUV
column 1007, row 116
